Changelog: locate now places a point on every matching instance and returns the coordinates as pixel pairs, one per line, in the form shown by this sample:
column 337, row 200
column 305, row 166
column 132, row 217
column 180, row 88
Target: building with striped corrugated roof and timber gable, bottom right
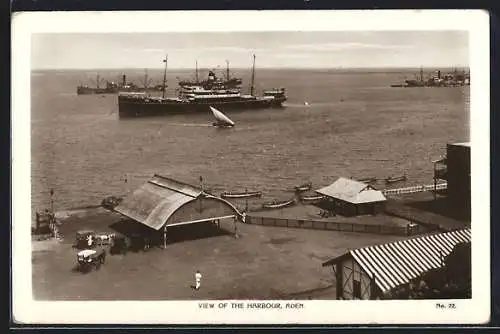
column 370, row 272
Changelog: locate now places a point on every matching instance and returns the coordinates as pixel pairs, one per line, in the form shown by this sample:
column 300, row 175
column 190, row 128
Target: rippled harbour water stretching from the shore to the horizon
column 354, row 125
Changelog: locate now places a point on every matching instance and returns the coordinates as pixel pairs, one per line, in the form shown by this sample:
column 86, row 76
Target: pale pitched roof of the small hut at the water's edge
column 352, row 191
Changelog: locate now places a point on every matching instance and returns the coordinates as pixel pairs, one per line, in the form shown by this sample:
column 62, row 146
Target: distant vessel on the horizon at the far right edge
column 454, row 79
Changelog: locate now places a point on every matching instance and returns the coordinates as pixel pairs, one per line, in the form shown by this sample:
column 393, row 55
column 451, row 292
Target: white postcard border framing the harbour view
column 26, row 310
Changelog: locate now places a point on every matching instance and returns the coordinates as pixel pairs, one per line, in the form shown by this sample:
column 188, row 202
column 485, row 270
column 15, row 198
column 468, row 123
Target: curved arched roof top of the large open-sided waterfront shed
column 155, row 201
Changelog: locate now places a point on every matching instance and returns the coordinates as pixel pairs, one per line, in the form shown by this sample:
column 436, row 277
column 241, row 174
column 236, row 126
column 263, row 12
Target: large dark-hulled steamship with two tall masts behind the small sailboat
column 198, row 97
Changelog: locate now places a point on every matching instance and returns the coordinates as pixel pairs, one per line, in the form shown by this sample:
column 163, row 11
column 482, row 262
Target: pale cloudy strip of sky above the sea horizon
column 336, row 49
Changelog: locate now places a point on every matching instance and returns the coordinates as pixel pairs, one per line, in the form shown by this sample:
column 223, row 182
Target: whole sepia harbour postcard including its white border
column 271, row 169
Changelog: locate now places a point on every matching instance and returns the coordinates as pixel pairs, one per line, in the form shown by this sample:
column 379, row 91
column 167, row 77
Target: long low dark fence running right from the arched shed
column 410, row 229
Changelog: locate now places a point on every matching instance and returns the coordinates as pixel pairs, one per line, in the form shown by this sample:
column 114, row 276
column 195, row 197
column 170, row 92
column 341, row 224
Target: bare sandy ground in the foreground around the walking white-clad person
column 264, row 263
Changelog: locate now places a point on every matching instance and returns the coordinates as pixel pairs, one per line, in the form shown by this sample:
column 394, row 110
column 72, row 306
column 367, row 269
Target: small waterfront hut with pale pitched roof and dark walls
column 350, row 197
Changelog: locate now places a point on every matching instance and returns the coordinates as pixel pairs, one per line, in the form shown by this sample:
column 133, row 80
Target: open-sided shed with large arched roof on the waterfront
column 163, row 202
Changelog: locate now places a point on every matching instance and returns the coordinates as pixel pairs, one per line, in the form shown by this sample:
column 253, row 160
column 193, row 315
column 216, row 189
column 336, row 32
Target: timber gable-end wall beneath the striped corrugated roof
column 354, row 282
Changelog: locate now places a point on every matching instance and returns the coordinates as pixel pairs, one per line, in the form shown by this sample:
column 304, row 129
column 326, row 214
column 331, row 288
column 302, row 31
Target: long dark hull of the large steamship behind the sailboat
column 128, row 108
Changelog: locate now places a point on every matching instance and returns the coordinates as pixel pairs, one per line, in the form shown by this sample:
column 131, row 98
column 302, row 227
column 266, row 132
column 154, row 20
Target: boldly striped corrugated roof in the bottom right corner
column 396, row 263
